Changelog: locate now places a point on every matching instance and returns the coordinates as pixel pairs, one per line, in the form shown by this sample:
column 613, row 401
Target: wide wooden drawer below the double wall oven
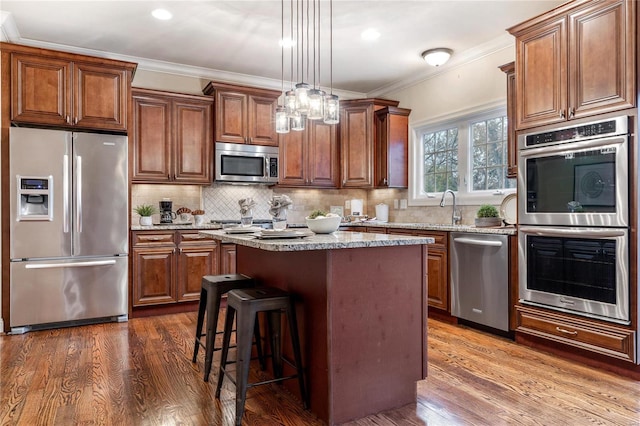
column 589, row 335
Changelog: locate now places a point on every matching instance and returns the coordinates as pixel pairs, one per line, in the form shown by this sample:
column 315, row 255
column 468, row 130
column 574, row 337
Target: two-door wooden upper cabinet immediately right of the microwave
column 309, row 157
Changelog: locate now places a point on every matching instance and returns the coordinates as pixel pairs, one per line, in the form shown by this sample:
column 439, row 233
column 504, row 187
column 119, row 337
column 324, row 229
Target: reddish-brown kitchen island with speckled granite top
column 362, row 313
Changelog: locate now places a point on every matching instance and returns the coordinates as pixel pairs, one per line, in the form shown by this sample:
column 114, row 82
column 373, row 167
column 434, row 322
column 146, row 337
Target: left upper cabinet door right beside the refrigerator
column 151, row 139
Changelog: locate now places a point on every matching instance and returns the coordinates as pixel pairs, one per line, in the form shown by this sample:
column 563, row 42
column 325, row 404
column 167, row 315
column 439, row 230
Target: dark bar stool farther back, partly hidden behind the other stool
column 213, row 288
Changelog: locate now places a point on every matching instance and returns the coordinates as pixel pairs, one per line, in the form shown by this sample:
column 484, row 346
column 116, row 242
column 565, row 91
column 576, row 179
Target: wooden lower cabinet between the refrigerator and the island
column 168, row 266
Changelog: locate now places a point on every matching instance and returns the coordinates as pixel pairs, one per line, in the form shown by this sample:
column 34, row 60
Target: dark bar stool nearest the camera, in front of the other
column 247, row 303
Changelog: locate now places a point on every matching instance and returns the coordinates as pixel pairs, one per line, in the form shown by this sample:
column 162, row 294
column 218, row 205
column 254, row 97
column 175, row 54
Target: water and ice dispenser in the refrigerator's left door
column 35, row 197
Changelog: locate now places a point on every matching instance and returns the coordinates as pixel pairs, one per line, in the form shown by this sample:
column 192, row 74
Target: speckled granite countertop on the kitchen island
column 333, row 241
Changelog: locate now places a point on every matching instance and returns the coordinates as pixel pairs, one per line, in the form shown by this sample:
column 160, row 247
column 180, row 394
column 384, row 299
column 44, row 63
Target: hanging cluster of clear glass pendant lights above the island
column 305, row 101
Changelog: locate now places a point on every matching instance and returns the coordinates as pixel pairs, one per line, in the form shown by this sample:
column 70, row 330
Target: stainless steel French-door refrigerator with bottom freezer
column 69, row 228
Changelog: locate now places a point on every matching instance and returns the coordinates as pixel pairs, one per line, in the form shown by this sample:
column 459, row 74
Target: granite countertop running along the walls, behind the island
column 504, row 230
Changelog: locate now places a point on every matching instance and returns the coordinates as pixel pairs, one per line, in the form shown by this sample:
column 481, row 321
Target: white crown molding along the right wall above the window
column 483, row 50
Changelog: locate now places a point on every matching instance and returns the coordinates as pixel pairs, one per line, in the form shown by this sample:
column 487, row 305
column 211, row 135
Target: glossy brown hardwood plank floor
column 140, row 373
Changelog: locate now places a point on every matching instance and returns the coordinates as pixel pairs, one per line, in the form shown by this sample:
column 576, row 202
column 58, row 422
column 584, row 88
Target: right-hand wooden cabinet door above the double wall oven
column 602, row 57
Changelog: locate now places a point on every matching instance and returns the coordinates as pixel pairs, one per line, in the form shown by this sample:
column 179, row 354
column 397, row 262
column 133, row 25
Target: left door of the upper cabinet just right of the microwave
column 293, row 157
